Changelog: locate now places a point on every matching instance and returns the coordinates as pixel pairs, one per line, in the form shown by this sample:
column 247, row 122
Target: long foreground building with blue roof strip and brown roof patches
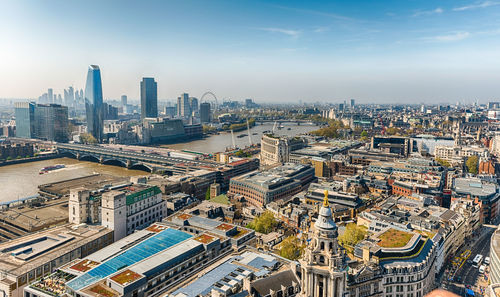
column 148, row 262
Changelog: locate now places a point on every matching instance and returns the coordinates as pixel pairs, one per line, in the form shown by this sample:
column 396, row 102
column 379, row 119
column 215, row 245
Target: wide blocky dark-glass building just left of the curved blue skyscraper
column 51, row 122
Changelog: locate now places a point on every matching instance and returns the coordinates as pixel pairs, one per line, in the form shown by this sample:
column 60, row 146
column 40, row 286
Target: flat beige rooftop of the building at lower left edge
column 20, row 255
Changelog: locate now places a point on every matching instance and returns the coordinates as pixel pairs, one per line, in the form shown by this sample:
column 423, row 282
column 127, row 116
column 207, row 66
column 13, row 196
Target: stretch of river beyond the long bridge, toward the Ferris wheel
column 219, row 143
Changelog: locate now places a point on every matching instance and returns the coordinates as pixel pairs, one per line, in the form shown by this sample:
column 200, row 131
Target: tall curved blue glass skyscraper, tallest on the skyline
column 93, row 102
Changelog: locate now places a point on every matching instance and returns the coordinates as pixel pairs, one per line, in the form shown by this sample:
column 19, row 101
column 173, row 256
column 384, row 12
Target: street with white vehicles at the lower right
column 466, row 274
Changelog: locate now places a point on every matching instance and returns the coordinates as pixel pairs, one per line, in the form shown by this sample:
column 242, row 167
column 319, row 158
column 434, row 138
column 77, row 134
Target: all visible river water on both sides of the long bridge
column 22, row 180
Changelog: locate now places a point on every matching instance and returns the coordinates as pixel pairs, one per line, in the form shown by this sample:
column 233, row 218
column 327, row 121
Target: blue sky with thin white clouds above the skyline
column 382, row 51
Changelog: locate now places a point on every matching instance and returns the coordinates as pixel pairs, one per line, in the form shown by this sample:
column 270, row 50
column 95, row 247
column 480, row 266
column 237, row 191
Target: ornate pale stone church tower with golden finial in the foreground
column 323, row 267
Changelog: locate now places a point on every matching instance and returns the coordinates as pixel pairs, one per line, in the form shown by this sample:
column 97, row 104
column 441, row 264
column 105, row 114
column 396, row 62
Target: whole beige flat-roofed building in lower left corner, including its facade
column 27, row 259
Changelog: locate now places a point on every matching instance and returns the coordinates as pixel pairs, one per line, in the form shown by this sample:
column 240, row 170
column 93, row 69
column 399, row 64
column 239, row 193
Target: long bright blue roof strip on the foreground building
column 145, row 249
